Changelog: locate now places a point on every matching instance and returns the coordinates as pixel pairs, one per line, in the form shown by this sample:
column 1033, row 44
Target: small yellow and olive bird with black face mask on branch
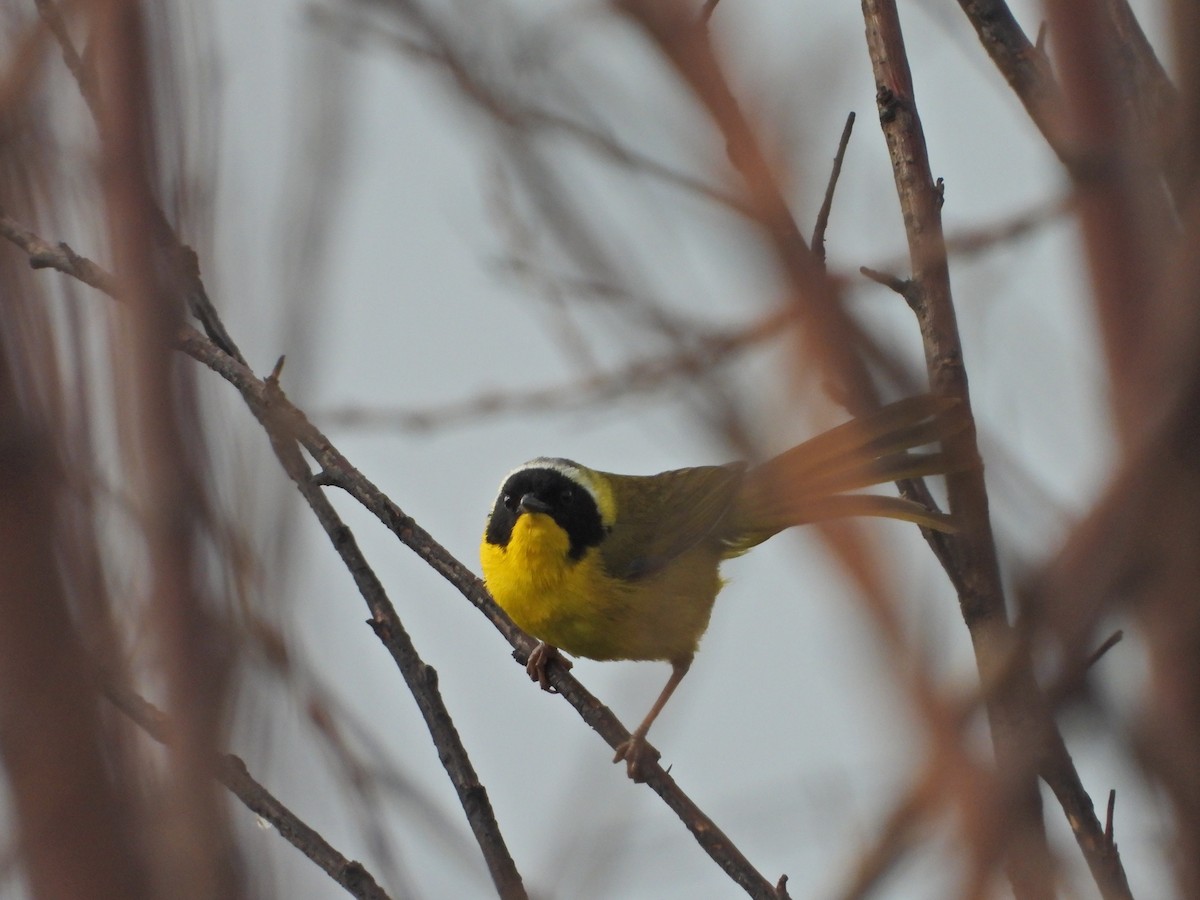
column 616, row 567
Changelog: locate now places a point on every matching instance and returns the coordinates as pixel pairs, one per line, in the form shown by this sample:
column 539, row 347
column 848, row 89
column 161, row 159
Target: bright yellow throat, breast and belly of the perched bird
column 577, row 607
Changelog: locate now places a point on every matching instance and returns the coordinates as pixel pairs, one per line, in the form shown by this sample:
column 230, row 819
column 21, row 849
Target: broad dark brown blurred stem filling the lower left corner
column 79, row 835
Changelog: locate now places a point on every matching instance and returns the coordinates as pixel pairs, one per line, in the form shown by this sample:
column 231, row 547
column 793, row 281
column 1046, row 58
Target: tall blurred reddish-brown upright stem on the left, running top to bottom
column 160, row 423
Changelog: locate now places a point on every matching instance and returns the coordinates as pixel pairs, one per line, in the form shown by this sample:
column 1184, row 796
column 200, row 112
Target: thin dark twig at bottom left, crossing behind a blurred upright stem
column 232, row 772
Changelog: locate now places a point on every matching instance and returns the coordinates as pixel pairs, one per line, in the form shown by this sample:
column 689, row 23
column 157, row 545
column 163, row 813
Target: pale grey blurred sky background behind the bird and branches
column 477, row 231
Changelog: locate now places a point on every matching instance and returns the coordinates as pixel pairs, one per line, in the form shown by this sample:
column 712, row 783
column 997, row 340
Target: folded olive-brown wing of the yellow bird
column 663, row 517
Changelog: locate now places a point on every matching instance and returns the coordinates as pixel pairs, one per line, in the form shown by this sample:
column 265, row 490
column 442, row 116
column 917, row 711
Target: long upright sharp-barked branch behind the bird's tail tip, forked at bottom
column 1025, row 736
